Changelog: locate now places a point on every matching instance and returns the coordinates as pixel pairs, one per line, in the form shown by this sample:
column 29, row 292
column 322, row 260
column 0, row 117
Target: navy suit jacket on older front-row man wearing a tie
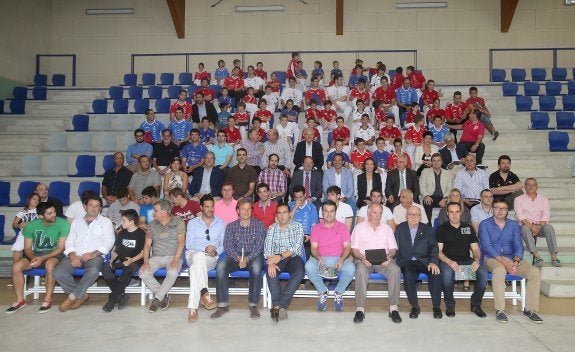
column 424, row 248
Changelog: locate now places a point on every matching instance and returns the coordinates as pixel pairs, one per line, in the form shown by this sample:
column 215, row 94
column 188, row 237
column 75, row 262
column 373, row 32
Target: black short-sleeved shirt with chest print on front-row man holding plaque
column 456, row 241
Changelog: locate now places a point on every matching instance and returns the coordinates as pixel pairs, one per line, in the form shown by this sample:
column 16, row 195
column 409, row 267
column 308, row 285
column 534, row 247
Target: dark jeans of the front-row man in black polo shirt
column 448, row 281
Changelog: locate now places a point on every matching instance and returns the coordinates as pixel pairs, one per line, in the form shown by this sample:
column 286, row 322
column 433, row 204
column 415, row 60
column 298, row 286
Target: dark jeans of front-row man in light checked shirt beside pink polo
column 281, row 297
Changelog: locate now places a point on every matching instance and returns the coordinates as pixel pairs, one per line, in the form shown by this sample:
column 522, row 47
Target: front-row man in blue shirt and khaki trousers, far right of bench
column 502, row 248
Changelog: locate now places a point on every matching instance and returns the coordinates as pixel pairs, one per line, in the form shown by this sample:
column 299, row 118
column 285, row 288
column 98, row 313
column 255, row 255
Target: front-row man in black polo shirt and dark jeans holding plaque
column 455, row 239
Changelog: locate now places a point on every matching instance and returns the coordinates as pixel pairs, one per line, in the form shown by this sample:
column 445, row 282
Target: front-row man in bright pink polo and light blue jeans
column 331, row 246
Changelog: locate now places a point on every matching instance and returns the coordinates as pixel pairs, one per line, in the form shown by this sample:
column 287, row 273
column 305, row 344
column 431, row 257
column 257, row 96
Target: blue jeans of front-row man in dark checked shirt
column 227, row 265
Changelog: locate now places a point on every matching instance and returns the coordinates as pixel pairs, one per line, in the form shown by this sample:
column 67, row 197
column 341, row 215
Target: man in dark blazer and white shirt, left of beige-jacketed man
column 398, row 179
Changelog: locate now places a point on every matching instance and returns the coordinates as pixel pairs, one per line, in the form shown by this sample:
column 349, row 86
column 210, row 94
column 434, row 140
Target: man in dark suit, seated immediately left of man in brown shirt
column 214, row 185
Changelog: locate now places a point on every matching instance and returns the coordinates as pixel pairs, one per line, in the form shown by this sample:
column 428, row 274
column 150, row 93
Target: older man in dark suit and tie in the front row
column 418, row 253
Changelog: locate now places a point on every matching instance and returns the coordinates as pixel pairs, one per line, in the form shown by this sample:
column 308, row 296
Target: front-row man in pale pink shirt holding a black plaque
column 373, row 246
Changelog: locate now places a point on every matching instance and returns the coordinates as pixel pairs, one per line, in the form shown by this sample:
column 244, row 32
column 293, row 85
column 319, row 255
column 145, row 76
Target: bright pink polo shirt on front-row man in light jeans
column 330, row 240
